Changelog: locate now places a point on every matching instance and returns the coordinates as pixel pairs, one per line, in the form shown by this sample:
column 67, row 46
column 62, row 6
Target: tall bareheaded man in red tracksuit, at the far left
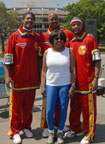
column 21, row 73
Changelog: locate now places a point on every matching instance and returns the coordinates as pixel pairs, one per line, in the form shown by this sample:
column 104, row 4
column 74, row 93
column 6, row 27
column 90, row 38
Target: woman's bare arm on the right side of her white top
column 73, row 74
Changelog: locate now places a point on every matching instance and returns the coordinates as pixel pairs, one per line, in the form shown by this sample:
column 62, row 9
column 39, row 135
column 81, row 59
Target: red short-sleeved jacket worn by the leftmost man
column 22, row 55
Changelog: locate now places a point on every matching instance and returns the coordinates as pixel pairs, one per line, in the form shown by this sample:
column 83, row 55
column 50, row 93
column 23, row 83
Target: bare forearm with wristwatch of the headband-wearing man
column 94, row 83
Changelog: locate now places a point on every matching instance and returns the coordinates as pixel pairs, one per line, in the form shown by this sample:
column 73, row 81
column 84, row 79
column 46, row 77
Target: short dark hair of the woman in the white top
column 55, row 34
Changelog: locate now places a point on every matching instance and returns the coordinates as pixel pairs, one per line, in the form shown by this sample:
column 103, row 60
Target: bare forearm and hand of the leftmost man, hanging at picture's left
column 8, row 79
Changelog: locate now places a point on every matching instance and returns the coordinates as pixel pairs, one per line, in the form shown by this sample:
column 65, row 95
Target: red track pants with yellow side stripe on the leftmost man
column 21, row 104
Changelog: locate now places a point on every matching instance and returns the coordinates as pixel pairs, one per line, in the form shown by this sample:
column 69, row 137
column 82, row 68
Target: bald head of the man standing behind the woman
column 53, row 21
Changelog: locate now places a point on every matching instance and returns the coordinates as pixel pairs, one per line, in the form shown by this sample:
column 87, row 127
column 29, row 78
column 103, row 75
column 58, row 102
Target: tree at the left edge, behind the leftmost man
column 8, row 23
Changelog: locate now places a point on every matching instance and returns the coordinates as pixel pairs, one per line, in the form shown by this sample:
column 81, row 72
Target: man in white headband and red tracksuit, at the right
column 88, row 63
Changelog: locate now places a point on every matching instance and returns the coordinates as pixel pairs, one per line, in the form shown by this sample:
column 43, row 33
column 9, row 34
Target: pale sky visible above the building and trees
column 54, row 3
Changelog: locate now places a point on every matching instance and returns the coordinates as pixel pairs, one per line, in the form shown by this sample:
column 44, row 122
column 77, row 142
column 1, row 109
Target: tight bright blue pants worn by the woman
column 53, row 94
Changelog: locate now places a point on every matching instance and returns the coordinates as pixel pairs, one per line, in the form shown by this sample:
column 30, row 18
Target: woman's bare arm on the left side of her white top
column 43, row 75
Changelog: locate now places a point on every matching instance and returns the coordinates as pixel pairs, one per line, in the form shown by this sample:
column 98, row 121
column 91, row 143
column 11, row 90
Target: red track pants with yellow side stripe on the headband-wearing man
column 85, row 104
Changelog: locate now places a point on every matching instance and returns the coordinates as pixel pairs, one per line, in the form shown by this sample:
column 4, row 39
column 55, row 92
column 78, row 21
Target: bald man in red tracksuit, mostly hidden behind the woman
column 53, row 25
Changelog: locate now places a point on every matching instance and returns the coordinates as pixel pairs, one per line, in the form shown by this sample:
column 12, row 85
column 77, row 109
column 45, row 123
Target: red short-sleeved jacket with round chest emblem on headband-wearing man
column 86, row 52
